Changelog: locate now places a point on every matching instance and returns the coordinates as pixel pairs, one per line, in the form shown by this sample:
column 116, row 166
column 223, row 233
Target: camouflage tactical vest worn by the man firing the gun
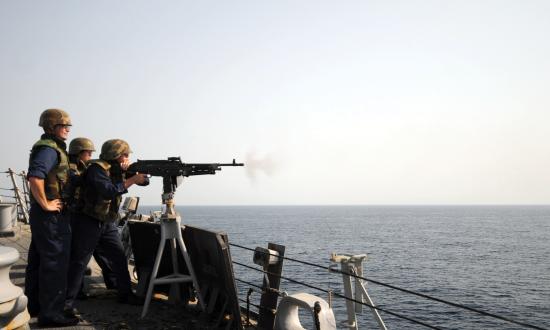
column 97, row 206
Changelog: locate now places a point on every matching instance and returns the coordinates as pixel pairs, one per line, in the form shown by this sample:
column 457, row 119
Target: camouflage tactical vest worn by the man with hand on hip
column 57, row 177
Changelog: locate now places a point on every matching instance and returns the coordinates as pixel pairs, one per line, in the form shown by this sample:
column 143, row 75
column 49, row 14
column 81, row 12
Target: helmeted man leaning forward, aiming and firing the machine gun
column 104, row 183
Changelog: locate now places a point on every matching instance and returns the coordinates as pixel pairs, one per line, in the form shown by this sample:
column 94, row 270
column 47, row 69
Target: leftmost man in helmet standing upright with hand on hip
column 48, row 259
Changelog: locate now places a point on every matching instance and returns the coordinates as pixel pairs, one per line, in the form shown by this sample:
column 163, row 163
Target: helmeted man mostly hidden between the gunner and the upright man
column 80, row 152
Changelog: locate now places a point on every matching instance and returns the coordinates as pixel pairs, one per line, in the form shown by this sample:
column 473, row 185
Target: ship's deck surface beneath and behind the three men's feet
column 101, row 311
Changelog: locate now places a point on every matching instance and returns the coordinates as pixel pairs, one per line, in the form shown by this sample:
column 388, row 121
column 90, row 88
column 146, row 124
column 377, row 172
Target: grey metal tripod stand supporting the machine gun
column 170, row 229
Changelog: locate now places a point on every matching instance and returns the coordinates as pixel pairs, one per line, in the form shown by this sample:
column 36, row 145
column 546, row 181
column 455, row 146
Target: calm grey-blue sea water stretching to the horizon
column 494, row 258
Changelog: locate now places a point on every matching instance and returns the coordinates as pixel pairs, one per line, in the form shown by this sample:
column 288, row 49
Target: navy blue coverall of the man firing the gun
column 90, row 234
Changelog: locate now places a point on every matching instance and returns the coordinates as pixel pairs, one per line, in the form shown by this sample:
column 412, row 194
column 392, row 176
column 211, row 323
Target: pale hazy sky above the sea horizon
column 326, row 102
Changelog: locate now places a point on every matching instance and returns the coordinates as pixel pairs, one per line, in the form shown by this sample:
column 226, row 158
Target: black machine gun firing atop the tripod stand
column 172, row 172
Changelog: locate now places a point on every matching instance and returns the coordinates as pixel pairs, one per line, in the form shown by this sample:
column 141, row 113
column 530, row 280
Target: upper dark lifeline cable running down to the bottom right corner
column 471, row 309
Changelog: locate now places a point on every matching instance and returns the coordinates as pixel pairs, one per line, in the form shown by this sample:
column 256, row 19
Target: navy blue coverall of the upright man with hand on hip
column 48, row 259
